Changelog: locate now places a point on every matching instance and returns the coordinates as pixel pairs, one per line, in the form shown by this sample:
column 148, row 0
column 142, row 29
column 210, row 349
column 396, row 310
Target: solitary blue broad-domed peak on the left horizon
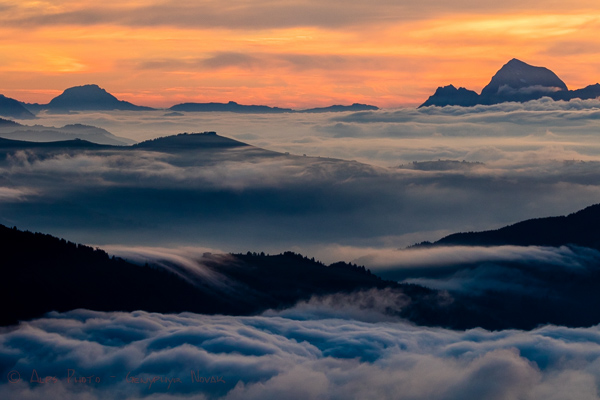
column 89, row 98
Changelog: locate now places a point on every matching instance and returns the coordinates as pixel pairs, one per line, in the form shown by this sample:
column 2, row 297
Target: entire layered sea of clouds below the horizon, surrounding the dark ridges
column 539, row 159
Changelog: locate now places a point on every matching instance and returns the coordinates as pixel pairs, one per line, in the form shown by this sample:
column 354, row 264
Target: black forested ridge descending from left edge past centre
column 41, row 273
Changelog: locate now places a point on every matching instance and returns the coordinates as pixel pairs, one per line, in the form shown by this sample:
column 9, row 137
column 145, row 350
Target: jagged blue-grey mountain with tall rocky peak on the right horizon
column 516, row 81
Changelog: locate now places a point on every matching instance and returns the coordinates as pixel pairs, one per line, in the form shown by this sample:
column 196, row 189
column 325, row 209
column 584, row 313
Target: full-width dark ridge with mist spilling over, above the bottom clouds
column 42, row 273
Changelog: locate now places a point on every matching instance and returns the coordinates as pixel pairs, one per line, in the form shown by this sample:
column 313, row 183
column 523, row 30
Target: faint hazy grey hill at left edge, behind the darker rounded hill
column 38, row 133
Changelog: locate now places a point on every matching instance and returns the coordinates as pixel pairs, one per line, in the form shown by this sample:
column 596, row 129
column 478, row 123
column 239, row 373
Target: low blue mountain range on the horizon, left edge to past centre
column 94, row 98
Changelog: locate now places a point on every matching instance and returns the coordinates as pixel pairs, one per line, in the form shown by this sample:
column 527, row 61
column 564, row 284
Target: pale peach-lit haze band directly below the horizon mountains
column 505, row 135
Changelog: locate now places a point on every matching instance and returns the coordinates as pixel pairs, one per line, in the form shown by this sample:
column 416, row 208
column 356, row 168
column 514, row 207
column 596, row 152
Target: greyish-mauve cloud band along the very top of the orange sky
column 240, row 15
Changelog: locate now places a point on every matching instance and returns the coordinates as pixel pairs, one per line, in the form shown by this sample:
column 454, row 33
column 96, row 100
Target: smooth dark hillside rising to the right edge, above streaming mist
column 581, row 229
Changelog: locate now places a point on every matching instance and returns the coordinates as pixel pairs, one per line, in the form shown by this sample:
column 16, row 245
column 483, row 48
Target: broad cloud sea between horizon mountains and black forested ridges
column 527, row 160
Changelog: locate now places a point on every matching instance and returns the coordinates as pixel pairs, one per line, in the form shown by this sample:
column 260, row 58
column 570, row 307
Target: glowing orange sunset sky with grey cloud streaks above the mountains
column 292, row 53
